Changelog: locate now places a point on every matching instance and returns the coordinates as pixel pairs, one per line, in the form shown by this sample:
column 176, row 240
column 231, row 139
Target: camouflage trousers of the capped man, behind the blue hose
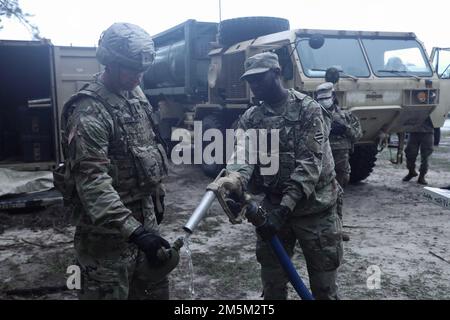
column 320, row 238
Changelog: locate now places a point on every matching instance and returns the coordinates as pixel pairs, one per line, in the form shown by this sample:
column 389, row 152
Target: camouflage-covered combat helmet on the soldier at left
column 127, row 45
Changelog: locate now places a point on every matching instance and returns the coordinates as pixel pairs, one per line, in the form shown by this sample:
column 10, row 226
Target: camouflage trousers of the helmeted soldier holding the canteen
column 112, row 268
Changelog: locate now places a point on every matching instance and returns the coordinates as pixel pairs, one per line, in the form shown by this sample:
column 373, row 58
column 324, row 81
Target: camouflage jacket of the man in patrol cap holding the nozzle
column 305, row 179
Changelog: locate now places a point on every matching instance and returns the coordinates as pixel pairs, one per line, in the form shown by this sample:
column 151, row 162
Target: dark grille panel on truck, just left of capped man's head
column 233, row 66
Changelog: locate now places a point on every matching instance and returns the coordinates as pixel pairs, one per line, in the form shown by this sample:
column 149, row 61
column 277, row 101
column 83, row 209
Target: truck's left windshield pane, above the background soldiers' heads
column 345, row 54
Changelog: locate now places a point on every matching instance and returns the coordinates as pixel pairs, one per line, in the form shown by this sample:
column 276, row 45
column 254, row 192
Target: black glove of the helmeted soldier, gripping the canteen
column 149, row 243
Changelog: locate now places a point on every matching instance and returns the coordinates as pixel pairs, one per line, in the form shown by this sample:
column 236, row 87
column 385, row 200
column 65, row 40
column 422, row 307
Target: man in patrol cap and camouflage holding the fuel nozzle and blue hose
column 301, row 196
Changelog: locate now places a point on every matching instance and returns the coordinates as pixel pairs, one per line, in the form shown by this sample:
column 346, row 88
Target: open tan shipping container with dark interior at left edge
column 36, row 79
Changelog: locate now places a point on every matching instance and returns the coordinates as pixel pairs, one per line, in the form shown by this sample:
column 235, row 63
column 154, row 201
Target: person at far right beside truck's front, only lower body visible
column 421, row 139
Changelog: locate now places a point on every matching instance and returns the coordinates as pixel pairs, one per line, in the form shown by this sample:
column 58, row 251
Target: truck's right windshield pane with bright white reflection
column 397, row 58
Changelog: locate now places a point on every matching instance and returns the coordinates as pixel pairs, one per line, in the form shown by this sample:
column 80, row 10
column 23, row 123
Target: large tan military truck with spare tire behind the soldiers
column 386, row 78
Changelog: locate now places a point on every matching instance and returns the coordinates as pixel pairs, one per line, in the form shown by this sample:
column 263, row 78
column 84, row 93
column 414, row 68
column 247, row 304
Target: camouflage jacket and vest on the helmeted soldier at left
column 112, row 157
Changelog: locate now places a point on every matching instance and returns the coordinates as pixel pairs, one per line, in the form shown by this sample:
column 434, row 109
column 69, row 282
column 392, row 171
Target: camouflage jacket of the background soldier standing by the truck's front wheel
column 353, row 131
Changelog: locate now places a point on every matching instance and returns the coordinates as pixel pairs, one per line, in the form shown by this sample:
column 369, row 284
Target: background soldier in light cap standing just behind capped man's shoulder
column 345, row 130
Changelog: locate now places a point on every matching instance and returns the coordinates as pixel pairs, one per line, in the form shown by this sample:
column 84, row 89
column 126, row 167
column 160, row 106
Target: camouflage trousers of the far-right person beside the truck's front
column 422, row 141
